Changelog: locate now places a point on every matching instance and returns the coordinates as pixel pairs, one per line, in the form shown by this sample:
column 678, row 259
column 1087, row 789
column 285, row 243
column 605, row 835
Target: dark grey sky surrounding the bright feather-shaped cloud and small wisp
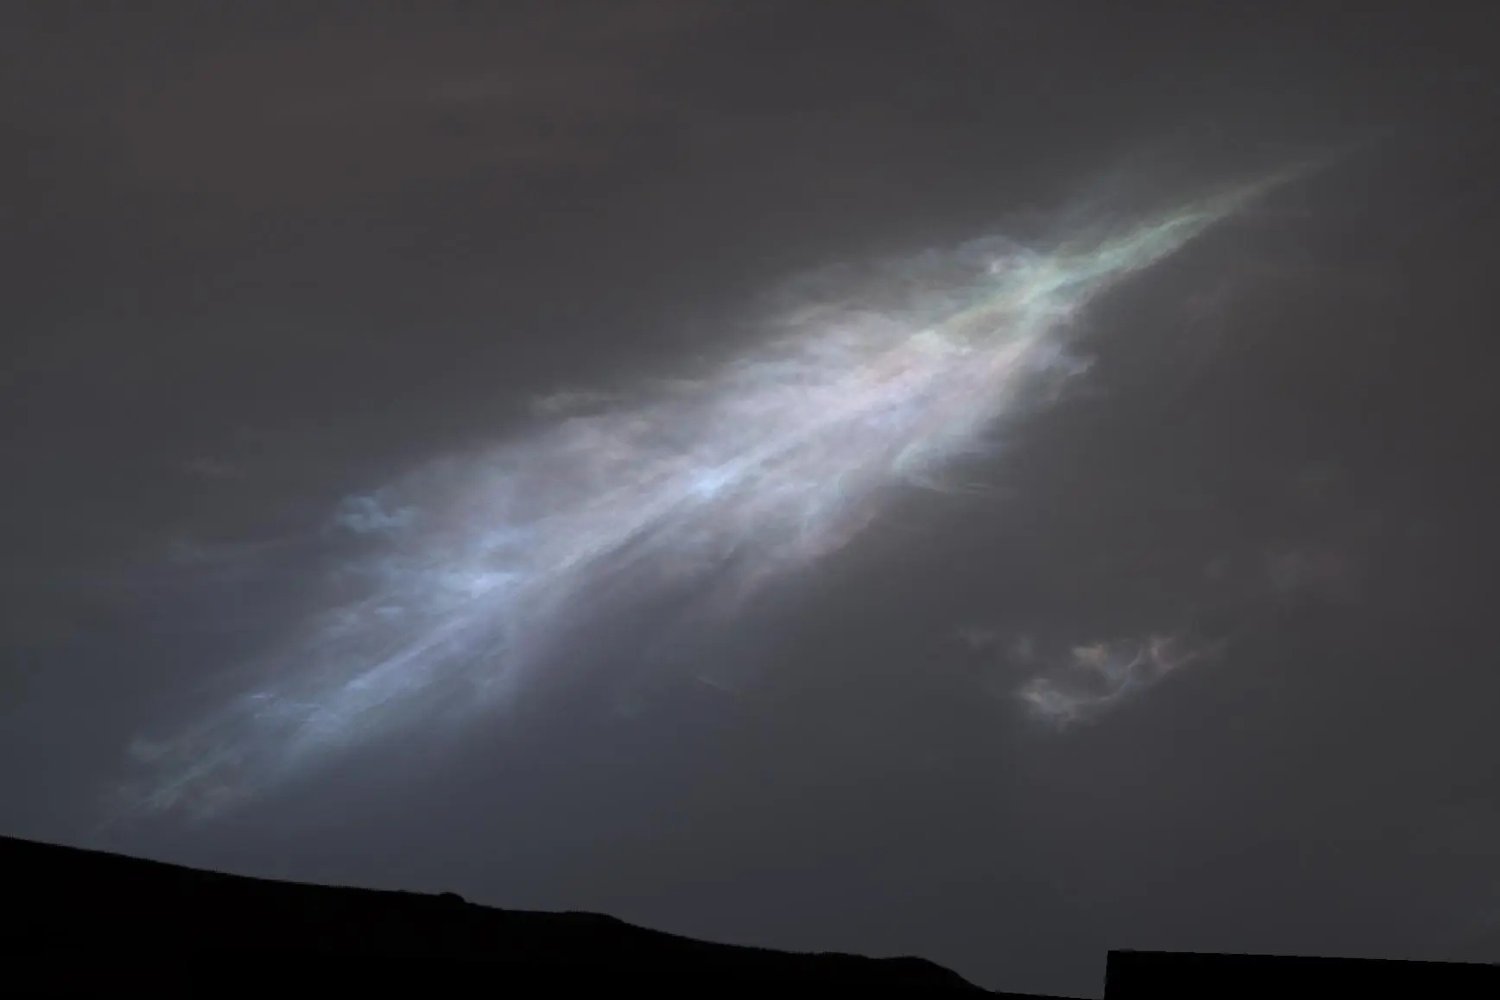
column 263, row 257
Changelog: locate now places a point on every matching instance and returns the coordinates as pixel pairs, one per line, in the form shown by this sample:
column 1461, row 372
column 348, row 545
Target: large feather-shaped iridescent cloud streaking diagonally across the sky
column 728, row 482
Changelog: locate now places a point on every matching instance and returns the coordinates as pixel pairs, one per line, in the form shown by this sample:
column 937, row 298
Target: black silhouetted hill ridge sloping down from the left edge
column 122, row 914
